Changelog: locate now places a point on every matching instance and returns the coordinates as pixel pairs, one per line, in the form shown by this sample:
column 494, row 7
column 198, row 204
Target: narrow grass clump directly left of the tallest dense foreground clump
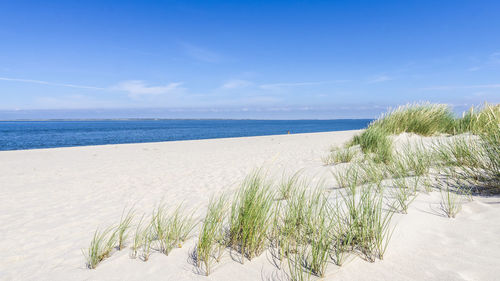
column 211, row 240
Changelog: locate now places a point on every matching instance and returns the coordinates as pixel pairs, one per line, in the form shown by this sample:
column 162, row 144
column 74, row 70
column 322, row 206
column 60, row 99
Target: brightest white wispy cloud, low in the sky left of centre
column 137, row 88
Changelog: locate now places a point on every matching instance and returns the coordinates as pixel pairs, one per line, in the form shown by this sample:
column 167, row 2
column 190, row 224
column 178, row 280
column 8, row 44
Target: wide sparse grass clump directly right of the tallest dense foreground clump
column 303, row 232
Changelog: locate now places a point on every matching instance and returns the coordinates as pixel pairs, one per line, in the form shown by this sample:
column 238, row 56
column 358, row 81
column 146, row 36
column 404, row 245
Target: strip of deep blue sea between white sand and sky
column 45, row 134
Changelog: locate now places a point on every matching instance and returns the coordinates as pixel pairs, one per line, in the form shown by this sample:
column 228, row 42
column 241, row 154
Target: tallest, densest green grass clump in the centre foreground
column 249, row 221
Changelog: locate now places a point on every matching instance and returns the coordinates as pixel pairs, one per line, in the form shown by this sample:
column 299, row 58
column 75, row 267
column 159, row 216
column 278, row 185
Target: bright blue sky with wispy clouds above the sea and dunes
column 244, row 59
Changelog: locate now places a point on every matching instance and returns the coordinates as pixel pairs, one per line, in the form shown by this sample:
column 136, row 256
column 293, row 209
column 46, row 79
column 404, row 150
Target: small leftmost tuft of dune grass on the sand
column 100, row 247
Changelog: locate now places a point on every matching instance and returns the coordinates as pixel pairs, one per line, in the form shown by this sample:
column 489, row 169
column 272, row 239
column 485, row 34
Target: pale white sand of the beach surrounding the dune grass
column 52, row 201
